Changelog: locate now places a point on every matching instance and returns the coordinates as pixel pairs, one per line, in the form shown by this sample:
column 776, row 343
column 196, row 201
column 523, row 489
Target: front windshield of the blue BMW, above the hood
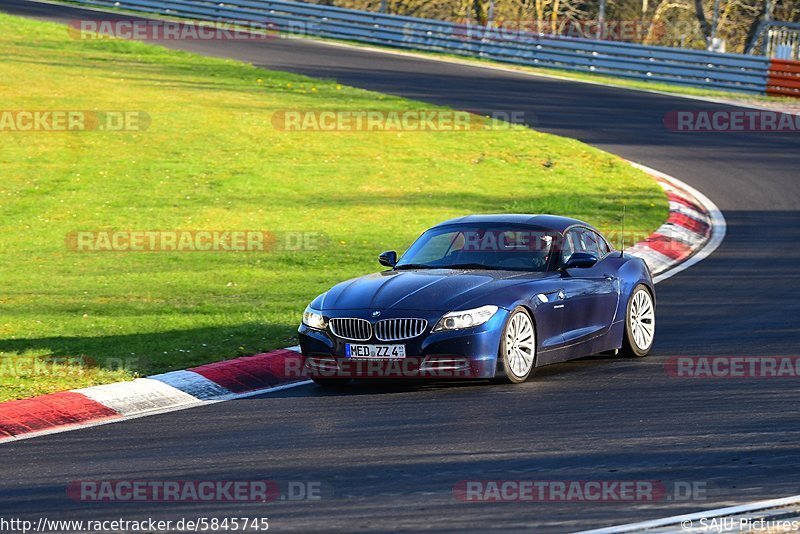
column 515, row 248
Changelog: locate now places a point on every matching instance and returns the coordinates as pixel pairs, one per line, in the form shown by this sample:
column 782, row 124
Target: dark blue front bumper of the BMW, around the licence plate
column 468, row 353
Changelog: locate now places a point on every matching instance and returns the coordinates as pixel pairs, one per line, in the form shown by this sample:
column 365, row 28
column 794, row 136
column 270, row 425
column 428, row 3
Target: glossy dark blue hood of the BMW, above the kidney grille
column 434, row 290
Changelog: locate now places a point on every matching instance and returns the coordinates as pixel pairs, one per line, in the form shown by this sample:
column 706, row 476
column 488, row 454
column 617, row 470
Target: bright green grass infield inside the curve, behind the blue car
column 211, row 160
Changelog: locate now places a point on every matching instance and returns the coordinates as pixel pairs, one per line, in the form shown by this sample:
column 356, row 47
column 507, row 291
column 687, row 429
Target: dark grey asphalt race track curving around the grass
column 389, row 457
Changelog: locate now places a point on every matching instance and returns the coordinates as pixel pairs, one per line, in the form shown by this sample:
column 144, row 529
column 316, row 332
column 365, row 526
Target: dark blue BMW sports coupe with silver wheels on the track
column 482, row 296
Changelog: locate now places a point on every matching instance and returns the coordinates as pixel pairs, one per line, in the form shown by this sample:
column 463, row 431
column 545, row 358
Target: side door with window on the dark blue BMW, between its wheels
column 591, row 294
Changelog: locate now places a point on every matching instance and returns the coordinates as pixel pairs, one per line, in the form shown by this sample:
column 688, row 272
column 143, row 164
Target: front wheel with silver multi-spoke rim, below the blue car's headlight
column 518, row 347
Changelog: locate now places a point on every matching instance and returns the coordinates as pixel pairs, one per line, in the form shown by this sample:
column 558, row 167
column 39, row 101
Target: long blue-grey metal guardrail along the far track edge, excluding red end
column 656, row 64
